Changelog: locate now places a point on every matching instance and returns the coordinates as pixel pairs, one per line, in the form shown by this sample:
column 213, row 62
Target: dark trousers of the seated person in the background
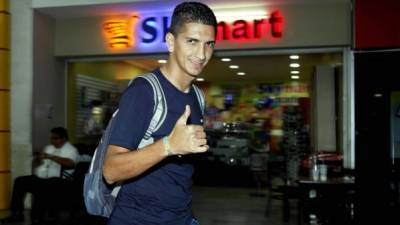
column 40, row 189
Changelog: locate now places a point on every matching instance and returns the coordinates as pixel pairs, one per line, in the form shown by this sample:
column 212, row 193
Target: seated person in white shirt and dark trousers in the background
column 57, row 164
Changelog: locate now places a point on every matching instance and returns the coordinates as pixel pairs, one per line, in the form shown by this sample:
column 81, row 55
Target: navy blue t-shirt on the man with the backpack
column 163, row 194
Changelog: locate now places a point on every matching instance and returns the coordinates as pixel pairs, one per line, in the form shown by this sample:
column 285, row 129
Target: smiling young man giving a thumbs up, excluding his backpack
column 157, row 183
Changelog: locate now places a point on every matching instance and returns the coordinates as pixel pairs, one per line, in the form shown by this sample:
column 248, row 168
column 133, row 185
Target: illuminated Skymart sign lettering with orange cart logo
column 149, row 32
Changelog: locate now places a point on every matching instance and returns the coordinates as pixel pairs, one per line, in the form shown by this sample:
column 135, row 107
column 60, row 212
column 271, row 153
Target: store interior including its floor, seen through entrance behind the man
column 261, row 123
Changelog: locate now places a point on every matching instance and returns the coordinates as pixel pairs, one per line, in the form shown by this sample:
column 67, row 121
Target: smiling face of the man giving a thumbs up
column 192, row 47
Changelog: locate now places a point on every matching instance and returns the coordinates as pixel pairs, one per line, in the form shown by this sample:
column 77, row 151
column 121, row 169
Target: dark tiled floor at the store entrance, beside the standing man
column 229, row 206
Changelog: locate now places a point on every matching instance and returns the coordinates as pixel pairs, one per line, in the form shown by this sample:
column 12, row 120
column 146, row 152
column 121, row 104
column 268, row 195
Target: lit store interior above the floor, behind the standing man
column 259, row 106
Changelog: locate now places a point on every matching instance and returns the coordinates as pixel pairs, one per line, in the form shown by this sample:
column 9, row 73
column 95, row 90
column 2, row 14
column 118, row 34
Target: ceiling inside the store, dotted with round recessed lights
column 258, row 68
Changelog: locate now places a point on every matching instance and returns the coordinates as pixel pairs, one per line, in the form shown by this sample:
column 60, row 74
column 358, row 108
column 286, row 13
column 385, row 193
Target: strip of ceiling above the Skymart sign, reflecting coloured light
column 61, row 10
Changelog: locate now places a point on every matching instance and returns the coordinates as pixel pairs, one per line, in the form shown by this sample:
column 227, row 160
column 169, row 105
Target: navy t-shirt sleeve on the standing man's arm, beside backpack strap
column 134, row 115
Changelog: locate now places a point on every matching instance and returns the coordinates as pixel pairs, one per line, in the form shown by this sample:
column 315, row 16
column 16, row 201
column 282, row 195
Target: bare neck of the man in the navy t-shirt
column 177, row 78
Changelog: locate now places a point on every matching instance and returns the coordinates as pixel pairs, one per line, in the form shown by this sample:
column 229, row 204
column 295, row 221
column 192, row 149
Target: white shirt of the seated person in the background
column 49, row 168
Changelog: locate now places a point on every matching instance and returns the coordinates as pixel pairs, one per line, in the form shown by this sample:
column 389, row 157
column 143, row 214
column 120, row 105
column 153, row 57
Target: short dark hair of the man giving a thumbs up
column 192, row 12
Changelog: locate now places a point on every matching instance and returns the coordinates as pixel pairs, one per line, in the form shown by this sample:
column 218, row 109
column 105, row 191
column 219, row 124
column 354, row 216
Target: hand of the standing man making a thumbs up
column 186, row 139
